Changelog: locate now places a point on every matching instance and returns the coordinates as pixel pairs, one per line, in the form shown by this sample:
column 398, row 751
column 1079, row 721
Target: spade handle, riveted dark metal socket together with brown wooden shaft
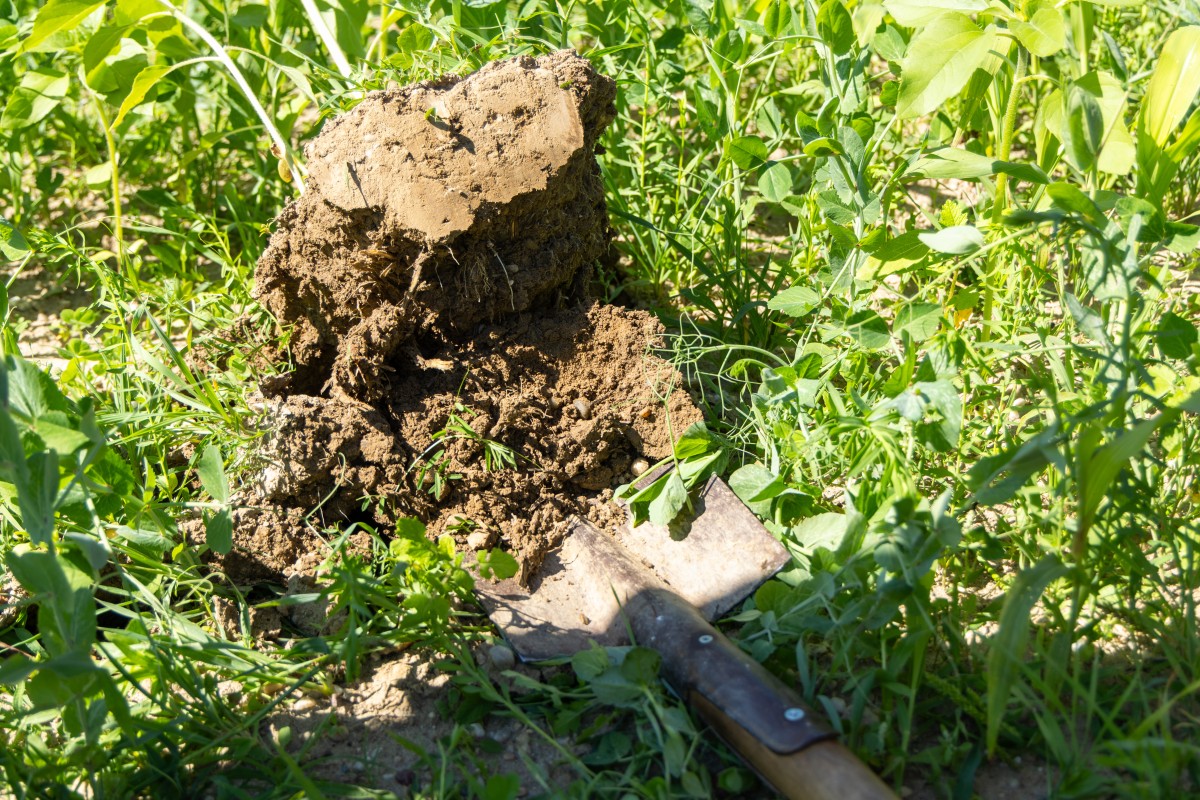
column 758, row 715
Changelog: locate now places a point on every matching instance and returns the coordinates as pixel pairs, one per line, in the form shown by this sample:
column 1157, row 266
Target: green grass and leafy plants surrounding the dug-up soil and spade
column 979, row 446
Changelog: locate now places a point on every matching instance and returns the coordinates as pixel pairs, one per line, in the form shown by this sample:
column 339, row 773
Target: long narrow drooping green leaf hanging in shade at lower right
column 1007, row 649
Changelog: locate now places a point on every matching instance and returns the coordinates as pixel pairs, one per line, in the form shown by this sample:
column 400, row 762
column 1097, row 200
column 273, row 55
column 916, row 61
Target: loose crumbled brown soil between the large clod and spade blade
column 574, row 396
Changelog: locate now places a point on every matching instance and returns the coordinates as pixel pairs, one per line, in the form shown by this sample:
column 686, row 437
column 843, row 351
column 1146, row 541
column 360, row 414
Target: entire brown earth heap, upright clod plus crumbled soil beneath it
column 449, row 364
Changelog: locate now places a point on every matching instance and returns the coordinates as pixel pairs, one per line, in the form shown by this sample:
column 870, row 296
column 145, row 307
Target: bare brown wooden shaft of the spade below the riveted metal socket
column 825, row 771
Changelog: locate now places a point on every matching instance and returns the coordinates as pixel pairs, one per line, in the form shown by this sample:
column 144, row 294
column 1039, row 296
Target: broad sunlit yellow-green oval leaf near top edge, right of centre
column 941, row 59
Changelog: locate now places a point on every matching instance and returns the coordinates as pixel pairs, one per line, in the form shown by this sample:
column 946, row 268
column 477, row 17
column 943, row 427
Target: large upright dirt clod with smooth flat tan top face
column 435, row 208
